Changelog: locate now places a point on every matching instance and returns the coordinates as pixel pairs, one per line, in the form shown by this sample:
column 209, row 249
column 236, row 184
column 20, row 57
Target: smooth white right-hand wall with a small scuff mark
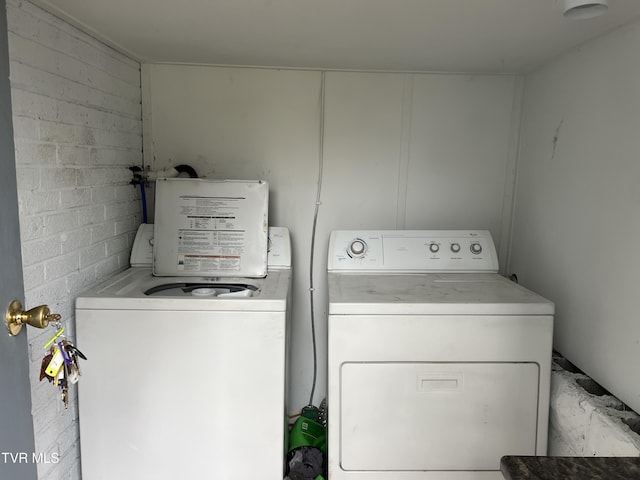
column 576, row 225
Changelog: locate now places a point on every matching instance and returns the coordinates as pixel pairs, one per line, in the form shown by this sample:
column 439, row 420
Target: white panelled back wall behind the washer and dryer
column 398, row 151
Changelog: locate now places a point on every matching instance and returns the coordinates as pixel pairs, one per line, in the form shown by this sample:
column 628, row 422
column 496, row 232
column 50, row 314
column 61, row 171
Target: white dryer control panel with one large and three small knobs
column 406, row 251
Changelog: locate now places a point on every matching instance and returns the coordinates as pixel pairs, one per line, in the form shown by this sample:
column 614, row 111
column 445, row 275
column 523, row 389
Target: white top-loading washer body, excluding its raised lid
column 186, row 376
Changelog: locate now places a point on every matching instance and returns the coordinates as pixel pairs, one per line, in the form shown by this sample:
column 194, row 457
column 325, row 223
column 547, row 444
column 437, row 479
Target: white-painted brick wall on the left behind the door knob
column 77, row 126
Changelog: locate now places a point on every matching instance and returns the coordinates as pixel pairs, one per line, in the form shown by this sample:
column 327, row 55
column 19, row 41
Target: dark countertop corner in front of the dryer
column 570, row 468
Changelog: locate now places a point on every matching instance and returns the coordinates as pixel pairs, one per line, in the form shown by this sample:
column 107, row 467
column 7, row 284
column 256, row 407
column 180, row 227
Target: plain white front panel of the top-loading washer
column 169, row 395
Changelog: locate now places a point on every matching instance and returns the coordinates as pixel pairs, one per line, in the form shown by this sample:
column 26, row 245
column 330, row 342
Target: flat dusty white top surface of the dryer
column 432, row 294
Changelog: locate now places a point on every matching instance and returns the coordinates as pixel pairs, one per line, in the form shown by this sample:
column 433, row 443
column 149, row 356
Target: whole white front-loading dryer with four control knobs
column 437, row 365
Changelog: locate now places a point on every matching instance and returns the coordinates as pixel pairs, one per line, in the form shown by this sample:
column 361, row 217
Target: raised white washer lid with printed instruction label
column 210, row 228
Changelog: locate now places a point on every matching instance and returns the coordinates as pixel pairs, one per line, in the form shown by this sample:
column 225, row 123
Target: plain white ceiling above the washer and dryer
column 473, row 36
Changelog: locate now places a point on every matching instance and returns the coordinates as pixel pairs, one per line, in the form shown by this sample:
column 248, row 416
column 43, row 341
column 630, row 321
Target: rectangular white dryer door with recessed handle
column 436, row 416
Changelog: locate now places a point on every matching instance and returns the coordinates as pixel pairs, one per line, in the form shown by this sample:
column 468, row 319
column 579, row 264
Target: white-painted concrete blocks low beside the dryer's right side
column 586, row 420
